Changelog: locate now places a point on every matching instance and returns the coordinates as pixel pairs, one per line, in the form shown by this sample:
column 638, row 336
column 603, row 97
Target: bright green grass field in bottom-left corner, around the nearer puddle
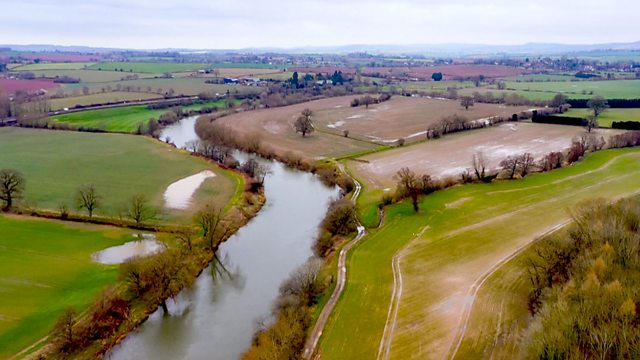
column 45, row 267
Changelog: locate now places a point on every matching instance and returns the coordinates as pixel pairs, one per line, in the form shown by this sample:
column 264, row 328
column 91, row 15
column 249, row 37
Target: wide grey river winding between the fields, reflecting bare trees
column 217, row 317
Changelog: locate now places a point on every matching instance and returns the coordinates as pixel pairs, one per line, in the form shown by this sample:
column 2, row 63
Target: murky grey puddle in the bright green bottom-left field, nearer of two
column 121, row 253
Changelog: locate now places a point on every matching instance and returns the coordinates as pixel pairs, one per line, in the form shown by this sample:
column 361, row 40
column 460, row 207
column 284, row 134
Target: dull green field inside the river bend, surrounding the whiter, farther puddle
column 56, row 163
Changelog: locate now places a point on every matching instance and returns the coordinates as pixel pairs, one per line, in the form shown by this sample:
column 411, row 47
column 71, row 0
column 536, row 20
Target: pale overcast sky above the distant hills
column 222, row 24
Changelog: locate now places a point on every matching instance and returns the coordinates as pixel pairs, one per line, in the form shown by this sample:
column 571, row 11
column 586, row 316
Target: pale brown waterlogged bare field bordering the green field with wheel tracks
column 451, row 155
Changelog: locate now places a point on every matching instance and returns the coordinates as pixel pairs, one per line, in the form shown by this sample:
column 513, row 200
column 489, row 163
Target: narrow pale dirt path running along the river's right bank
column 312, row 341
